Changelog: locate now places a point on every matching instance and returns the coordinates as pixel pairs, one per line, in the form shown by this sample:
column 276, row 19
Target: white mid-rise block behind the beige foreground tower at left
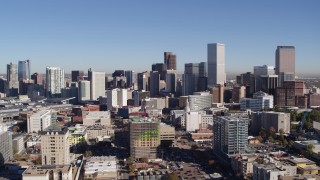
column 39, row 121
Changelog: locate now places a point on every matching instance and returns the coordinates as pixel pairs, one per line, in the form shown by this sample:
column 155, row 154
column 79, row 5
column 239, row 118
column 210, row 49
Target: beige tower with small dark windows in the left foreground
column 55, row 146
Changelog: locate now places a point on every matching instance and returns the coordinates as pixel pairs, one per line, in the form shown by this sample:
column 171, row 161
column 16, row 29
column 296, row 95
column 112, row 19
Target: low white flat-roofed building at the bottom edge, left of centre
column 101, row 167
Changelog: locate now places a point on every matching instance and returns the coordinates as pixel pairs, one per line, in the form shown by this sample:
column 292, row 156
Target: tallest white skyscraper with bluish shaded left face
column 216, row 64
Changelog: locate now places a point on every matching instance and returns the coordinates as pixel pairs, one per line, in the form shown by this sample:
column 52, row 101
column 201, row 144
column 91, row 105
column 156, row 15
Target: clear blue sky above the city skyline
column 125, row 34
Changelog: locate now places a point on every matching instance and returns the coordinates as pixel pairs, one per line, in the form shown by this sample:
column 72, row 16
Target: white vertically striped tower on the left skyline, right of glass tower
column 55, row 80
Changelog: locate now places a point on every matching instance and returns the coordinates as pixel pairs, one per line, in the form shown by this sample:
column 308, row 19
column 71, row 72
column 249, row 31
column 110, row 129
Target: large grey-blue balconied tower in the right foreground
column 230, row 134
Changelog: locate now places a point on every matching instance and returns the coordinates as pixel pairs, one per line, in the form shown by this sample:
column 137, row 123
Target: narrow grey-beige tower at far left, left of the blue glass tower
column 12, row 80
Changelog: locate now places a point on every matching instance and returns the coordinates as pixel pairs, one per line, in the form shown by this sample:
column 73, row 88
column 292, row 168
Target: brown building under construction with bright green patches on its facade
column 144, row 139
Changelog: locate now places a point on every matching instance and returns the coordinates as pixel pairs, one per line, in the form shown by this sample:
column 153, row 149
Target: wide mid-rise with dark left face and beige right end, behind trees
column 266, row 120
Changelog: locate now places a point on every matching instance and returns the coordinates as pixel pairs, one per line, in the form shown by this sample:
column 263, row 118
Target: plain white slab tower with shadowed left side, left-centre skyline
column 97, row 84
